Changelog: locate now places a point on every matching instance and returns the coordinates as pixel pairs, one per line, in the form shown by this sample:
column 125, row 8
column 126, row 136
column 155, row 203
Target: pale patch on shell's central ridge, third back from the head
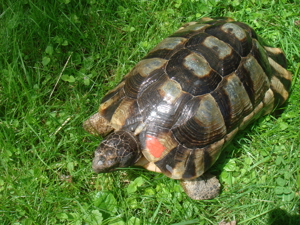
column 221, row 48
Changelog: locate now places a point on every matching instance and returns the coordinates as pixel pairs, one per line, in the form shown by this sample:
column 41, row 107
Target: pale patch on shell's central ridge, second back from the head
column 197, row 64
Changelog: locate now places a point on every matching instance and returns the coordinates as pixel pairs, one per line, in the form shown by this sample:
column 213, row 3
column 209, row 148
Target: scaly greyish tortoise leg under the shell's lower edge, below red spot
column 206, row 186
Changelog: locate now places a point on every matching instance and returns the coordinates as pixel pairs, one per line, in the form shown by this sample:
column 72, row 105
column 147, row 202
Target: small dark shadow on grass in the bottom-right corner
column 280, row 217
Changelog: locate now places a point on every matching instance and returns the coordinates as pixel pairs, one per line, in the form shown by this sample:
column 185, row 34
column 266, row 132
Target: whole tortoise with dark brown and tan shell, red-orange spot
column 181, row 105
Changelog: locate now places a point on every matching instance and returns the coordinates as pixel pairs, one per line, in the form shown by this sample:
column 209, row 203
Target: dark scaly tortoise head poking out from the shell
column 119, row 149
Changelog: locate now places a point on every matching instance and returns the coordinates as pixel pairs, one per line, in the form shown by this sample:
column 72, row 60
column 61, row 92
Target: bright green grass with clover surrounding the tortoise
column 59, row 57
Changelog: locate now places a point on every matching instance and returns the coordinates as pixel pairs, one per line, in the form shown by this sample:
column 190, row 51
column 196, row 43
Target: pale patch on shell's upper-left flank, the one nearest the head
column 146, row 66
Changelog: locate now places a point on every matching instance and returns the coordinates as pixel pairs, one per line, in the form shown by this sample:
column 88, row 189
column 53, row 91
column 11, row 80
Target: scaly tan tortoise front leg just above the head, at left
column 97, row 125
